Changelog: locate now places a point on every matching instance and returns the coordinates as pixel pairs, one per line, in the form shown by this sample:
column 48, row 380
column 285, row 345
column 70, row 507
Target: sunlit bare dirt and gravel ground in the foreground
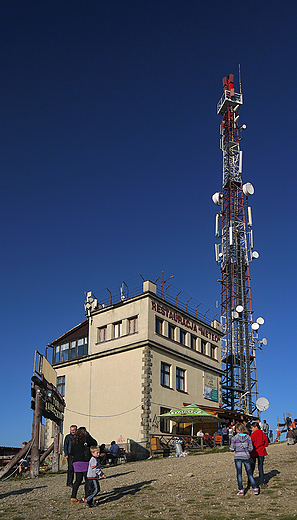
column 200, row 487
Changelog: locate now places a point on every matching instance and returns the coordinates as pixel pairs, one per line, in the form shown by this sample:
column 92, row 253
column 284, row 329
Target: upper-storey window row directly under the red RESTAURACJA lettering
column 185, row 338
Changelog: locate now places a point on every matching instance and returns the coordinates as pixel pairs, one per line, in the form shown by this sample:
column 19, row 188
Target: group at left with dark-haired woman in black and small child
column 84, row 457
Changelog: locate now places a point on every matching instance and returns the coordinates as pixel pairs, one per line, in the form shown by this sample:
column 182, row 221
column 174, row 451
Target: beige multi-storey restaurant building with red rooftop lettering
column 133, row 360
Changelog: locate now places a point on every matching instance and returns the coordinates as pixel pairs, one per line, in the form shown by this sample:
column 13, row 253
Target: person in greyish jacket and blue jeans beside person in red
column 241, row 445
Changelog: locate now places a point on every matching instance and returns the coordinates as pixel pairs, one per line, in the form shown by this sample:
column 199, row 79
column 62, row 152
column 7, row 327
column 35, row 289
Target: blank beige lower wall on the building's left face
column 105, row 396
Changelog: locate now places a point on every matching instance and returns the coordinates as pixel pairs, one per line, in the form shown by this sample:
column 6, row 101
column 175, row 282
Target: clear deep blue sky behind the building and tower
column 109, row 156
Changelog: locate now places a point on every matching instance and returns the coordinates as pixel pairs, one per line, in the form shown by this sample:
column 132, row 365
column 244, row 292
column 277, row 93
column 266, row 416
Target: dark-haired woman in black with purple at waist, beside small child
column 80, row 451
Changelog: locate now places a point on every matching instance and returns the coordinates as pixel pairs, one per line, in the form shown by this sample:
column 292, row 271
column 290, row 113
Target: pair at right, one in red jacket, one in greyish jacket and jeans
column 247, row 450
